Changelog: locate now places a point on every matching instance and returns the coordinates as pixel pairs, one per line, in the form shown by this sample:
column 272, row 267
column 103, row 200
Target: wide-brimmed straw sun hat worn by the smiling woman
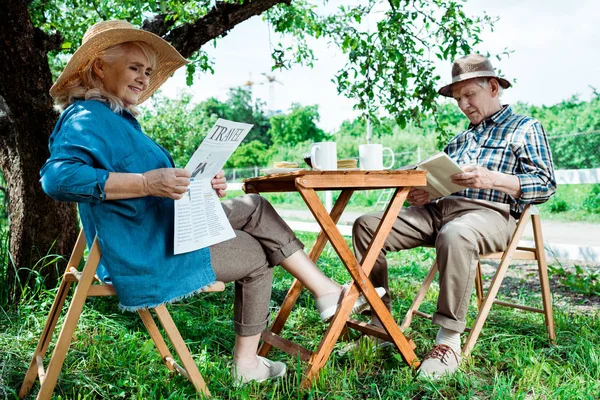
column 106, row 34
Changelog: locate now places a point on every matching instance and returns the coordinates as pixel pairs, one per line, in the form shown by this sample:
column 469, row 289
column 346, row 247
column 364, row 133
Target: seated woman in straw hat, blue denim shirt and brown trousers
column 125, row 184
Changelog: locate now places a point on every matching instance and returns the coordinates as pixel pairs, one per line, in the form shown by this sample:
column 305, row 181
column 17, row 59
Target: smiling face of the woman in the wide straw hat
column 127, row 77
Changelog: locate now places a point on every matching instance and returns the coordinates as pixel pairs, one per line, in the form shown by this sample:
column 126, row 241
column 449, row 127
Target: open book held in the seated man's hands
column 440, row 169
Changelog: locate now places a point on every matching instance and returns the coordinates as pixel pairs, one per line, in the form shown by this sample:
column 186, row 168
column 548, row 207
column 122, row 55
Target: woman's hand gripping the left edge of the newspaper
column 166, row 182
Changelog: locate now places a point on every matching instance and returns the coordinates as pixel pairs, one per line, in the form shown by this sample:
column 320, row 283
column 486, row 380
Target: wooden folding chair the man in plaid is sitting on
column 485, row 301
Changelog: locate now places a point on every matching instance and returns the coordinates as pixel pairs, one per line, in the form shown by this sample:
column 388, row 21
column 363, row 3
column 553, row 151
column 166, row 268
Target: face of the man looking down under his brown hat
column 475, row 102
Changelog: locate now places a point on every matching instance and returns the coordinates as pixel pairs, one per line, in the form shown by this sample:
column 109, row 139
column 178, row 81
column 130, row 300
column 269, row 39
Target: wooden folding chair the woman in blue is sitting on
column 88, row 285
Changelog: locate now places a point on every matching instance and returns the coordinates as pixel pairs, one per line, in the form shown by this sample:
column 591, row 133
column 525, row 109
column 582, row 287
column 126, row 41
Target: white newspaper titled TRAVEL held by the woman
column 199, row 218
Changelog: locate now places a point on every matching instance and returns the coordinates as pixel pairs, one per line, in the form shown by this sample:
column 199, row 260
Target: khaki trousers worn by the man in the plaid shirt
column 460, row 229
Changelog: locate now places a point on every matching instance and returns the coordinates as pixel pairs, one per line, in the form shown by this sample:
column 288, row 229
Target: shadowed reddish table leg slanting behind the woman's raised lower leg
column 296, row 288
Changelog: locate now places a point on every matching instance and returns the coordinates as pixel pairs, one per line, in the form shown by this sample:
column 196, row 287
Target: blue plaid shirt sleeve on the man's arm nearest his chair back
column 537, row 179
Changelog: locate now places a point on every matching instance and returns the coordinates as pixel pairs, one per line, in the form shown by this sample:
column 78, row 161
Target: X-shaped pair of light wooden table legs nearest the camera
column 359, row 275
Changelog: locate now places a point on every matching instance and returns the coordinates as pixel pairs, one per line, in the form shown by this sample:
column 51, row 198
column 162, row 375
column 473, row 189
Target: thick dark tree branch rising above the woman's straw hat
column 190, row 37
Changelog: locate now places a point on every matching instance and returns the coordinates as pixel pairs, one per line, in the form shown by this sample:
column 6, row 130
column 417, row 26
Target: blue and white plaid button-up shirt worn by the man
column 512, row 144
